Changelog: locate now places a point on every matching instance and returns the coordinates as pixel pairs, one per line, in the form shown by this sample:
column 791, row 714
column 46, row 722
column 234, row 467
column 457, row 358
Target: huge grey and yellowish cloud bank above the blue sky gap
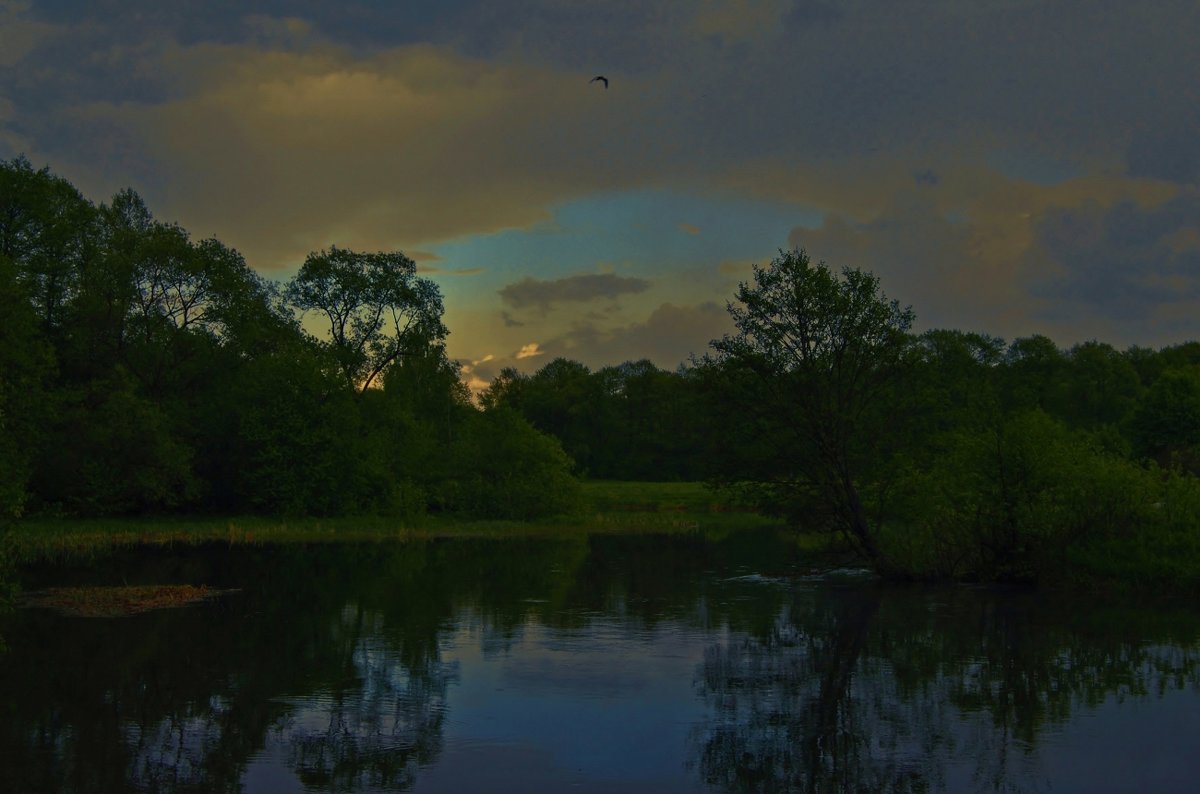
column 289, row 135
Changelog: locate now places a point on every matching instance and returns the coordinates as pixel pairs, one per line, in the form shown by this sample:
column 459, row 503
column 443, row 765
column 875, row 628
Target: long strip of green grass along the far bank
column 607, row 508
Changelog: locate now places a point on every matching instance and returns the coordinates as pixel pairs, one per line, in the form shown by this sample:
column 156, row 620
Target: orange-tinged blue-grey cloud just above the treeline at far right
column 1087, row 258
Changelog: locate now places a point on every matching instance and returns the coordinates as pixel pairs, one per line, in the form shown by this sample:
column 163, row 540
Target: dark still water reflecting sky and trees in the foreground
column 641, row 664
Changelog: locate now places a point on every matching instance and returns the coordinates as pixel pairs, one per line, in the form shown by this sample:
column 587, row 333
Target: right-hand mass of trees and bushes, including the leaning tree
column 937, row 455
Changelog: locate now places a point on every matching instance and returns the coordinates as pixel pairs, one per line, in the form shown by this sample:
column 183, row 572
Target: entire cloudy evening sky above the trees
column 1013, row 167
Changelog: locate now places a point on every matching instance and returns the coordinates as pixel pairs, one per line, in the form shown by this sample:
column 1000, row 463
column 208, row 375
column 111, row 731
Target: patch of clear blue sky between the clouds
column 643, row 233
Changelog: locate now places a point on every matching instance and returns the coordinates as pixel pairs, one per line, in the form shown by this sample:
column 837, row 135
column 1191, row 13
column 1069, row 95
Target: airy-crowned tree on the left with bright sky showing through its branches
column 379, row 310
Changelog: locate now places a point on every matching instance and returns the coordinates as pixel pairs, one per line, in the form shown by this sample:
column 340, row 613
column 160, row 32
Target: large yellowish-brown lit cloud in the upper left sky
column 285, row 152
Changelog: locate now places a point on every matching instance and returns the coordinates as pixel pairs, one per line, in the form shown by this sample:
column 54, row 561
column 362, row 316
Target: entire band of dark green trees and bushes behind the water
column 143, row 372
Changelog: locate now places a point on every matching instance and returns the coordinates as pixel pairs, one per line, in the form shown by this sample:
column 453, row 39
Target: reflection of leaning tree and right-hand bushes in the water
column 871, row 690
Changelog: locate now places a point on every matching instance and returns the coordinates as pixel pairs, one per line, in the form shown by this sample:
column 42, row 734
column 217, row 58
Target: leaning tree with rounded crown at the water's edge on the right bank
column 819, row 353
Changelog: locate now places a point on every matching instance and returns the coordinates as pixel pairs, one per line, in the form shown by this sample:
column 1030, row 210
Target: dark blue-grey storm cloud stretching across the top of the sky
column 809, row 79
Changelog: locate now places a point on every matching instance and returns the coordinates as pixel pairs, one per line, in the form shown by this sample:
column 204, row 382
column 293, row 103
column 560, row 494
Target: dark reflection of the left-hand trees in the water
column 328, row 661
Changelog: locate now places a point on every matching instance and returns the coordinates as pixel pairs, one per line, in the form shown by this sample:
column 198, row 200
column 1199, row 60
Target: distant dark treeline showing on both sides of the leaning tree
column 638, row 422
